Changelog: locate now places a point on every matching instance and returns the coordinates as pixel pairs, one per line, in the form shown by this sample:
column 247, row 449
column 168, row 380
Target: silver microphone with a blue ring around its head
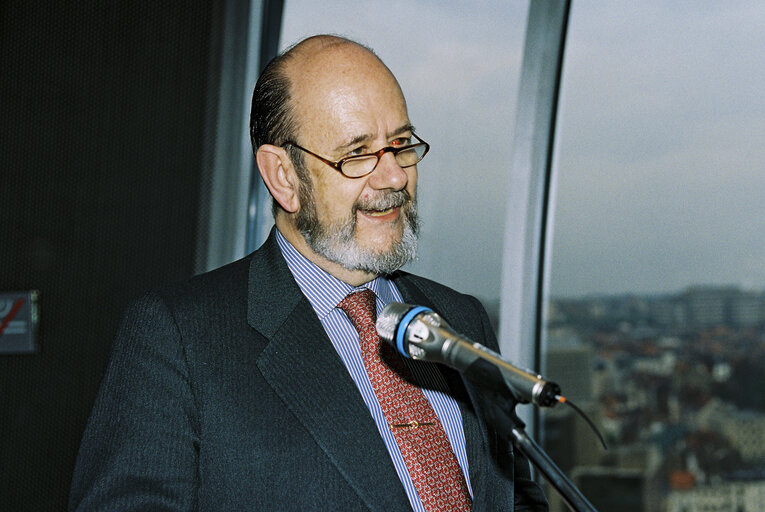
column 419, row 333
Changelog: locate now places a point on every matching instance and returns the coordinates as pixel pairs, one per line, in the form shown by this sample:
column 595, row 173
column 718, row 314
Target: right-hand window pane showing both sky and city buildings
column 655, row 313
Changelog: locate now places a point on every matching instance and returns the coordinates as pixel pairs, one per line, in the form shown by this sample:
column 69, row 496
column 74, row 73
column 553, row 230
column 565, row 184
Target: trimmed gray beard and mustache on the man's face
column 337, row 241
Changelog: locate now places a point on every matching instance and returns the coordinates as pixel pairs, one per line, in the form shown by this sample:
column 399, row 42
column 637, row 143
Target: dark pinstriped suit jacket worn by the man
column 224, row 393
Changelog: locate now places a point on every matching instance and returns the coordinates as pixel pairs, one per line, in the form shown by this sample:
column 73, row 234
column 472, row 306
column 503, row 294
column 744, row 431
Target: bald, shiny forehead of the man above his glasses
column 344, row 92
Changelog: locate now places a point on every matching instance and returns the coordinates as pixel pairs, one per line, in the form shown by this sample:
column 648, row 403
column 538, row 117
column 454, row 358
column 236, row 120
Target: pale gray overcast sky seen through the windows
column 660, row 157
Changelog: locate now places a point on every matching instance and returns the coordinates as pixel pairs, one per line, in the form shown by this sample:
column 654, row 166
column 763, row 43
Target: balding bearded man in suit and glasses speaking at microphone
column 250, row 387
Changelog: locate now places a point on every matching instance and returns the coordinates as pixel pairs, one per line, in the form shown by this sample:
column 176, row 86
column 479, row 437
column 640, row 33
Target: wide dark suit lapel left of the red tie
column 303, row 368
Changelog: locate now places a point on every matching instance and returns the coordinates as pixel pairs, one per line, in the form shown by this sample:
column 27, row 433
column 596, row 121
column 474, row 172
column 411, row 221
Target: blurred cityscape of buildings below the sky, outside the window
column 675, row 384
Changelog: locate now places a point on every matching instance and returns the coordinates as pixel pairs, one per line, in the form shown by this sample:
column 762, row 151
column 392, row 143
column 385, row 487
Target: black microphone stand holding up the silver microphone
column 499, row 404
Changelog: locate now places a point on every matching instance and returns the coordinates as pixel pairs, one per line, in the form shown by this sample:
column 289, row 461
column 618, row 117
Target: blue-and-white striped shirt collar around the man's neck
column 323, row 290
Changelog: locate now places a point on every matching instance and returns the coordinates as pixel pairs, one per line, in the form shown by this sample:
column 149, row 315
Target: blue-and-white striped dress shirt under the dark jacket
column 325, row 292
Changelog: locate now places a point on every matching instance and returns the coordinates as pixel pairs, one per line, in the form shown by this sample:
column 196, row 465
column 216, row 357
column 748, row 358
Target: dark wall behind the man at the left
column 103, row 110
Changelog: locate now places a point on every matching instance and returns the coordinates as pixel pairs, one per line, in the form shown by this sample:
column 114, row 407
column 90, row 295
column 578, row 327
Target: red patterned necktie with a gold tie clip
column 421, row 438
